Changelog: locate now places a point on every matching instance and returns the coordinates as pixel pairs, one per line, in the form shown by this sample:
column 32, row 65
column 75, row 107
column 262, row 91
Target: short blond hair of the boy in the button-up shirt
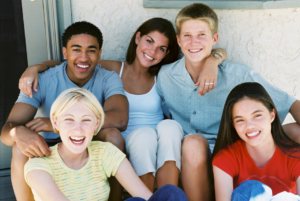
column 197, row 11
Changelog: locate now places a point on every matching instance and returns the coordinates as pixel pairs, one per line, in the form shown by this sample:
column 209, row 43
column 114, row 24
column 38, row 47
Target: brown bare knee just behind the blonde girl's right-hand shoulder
column 113, row 136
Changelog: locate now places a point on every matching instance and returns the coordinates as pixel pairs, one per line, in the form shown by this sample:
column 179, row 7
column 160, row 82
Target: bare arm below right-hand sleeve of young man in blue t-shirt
column 116, row 112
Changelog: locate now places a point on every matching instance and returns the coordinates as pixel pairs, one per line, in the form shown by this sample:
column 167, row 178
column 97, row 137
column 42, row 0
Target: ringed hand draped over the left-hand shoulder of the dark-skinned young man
column 29, row 80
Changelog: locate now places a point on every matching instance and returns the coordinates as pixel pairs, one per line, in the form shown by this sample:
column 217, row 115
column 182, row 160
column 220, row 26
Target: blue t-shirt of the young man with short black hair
column 52, row 82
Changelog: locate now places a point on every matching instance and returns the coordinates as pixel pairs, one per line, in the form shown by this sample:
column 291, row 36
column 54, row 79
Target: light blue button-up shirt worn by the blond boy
column 202, row 114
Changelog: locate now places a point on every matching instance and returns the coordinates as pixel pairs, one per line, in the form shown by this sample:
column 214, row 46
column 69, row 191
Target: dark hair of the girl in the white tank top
column 163, row 26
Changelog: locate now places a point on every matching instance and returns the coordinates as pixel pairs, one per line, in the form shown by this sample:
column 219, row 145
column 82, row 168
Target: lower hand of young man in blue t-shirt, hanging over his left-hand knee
column 30, row 143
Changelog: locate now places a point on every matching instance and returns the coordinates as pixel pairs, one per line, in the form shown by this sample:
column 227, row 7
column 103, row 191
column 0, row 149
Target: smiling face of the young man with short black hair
column 82, row 53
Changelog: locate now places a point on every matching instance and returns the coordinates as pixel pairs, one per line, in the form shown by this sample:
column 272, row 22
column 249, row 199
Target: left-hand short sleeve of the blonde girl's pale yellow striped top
column 37, row 164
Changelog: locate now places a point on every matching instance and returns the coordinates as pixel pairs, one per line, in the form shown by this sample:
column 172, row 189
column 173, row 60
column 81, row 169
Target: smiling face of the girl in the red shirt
column 252, row 121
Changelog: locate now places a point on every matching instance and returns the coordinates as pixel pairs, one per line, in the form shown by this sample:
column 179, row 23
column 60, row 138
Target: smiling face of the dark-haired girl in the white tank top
column 151, row 48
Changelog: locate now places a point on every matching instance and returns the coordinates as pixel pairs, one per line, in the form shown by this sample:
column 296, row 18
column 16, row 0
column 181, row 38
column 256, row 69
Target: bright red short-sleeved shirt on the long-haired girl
column 280, row 173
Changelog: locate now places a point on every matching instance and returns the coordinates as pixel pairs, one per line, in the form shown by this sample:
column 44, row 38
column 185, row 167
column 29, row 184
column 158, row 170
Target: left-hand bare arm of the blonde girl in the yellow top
column 43, row 184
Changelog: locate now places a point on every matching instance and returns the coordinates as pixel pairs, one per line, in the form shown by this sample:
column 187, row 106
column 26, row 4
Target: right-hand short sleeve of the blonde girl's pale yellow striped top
column 111, row 159
